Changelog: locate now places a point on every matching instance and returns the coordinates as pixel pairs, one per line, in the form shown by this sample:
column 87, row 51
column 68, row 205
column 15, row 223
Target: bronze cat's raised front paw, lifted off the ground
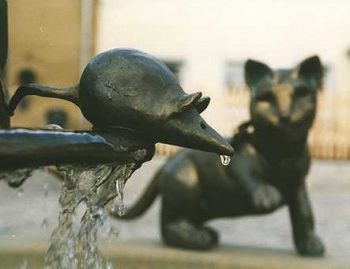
column 266, row 198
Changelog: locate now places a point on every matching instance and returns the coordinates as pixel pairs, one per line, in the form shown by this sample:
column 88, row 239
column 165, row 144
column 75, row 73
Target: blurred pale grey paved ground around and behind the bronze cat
column 29, row 215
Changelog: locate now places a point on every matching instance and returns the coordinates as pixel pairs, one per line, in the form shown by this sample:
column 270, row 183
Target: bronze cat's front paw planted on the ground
column 311, row 246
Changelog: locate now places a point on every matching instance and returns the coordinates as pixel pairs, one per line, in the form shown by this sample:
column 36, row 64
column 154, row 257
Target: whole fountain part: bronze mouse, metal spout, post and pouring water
column 133, row 101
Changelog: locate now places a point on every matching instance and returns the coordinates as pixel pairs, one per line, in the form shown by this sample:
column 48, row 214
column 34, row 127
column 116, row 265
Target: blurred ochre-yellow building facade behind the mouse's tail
column 49, row 43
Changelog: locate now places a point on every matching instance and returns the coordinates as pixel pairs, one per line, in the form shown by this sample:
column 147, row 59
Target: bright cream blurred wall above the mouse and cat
column 206, row 33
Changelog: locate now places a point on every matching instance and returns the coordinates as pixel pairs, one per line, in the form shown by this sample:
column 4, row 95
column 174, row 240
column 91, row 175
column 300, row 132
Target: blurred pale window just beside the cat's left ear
column 234, row 76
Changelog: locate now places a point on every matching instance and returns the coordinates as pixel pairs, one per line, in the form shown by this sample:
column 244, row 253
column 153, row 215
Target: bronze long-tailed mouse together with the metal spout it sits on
column 133, row 101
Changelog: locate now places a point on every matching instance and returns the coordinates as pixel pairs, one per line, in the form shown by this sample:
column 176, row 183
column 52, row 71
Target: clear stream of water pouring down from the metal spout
column 95, row 186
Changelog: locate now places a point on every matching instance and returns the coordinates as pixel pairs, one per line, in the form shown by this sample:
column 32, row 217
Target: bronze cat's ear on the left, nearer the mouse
column 256, row 72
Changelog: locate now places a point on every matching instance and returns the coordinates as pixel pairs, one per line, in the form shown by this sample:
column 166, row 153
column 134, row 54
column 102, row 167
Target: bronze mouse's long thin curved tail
column 70, row 94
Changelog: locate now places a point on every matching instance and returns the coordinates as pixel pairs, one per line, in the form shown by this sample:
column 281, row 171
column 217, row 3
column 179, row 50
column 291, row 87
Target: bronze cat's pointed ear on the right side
column 311, row 70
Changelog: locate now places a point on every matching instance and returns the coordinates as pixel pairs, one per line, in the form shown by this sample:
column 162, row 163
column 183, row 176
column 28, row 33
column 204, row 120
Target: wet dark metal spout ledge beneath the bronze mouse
column 20, row 148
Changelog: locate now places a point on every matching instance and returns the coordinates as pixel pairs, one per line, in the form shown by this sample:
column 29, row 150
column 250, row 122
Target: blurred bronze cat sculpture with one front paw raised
column 268, row 170
